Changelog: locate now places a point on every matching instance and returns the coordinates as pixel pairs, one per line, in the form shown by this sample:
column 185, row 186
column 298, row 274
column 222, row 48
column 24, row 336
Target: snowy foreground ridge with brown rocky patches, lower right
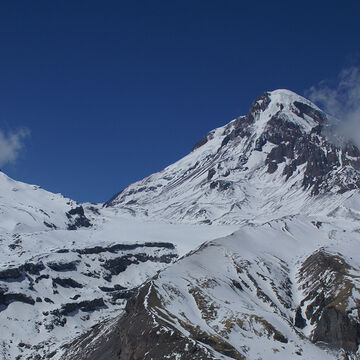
column 237, row 298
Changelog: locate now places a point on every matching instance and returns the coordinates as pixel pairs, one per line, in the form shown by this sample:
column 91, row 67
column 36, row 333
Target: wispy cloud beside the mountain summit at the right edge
column 342, row 101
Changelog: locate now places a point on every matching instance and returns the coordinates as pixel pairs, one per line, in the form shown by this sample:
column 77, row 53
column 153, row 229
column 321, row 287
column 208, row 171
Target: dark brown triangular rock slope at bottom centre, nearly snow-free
column 124, row 341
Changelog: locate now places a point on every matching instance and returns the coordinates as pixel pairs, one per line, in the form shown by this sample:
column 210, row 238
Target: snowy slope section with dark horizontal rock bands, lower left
column 74, row 288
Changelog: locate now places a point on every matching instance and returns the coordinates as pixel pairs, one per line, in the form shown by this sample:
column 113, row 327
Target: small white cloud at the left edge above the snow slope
column 11, row 144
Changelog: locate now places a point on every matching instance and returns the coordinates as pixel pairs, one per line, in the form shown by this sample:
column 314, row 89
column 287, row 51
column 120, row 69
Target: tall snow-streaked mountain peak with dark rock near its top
column 274, row 160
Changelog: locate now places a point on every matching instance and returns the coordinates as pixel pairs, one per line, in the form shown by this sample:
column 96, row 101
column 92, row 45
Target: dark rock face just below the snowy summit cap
column 295, row 147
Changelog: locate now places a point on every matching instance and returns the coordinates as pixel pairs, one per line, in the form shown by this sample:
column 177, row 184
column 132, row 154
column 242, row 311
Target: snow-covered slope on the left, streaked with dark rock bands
column 56, row 283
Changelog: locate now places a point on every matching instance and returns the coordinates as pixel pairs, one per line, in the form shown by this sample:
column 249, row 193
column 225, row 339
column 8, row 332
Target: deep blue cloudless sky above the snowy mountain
column 115, row 90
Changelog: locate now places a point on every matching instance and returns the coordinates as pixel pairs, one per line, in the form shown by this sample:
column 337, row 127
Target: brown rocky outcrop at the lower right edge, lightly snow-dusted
column 330, row 305
